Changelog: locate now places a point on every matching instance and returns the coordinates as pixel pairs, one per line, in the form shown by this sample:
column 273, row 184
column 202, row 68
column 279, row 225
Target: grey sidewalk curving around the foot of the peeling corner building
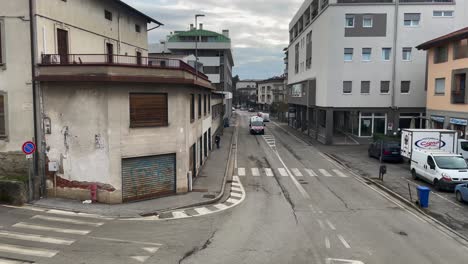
column 205, row 187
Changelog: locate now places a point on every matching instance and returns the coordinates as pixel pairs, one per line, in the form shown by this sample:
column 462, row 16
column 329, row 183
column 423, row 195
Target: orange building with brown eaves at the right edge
column 447, row 76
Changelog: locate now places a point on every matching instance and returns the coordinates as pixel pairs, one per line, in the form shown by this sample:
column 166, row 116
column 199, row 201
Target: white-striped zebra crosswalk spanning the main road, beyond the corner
column 305, row 172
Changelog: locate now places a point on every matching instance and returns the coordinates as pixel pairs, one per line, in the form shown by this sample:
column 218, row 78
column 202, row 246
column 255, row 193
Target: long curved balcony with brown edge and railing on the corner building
column 108, row 67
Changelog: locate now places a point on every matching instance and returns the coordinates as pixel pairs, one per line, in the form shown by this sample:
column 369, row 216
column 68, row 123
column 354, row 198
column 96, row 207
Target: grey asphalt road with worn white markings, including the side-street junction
column 300, row 208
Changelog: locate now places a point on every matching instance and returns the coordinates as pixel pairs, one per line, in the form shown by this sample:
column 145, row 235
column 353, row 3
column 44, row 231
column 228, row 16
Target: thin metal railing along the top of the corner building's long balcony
column 118, row 60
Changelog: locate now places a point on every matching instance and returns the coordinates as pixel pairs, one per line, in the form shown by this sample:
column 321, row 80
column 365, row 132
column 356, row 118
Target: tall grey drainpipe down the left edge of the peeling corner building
column 32, row 32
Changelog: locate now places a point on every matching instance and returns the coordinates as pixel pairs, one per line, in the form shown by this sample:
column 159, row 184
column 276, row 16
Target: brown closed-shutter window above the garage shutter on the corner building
column 148, row 110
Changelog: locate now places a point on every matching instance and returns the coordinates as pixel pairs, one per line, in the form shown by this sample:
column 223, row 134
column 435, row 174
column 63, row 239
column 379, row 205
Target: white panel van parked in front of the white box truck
column 443, row 169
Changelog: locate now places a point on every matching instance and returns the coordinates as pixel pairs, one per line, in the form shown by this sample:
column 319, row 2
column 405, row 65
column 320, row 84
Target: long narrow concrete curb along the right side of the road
column 399, row 197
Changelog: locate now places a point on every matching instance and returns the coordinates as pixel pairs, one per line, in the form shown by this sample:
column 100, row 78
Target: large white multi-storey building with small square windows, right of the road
column 353, row 69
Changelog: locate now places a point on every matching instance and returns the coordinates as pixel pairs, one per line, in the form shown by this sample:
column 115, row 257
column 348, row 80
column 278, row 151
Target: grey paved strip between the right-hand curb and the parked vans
column 442, row 205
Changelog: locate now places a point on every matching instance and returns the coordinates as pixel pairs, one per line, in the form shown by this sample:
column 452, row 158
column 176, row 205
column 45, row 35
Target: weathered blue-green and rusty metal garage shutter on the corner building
column 148, row 177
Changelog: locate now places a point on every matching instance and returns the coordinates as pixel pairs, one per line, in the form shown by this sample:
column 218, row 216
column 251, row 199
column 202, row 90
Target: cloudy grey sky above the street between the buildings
column 258, row 28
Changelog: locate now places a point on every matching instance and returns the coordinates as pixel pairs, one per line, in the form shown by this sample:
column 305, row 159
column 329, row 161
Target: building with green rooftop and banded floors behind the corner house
column 213, row 50
